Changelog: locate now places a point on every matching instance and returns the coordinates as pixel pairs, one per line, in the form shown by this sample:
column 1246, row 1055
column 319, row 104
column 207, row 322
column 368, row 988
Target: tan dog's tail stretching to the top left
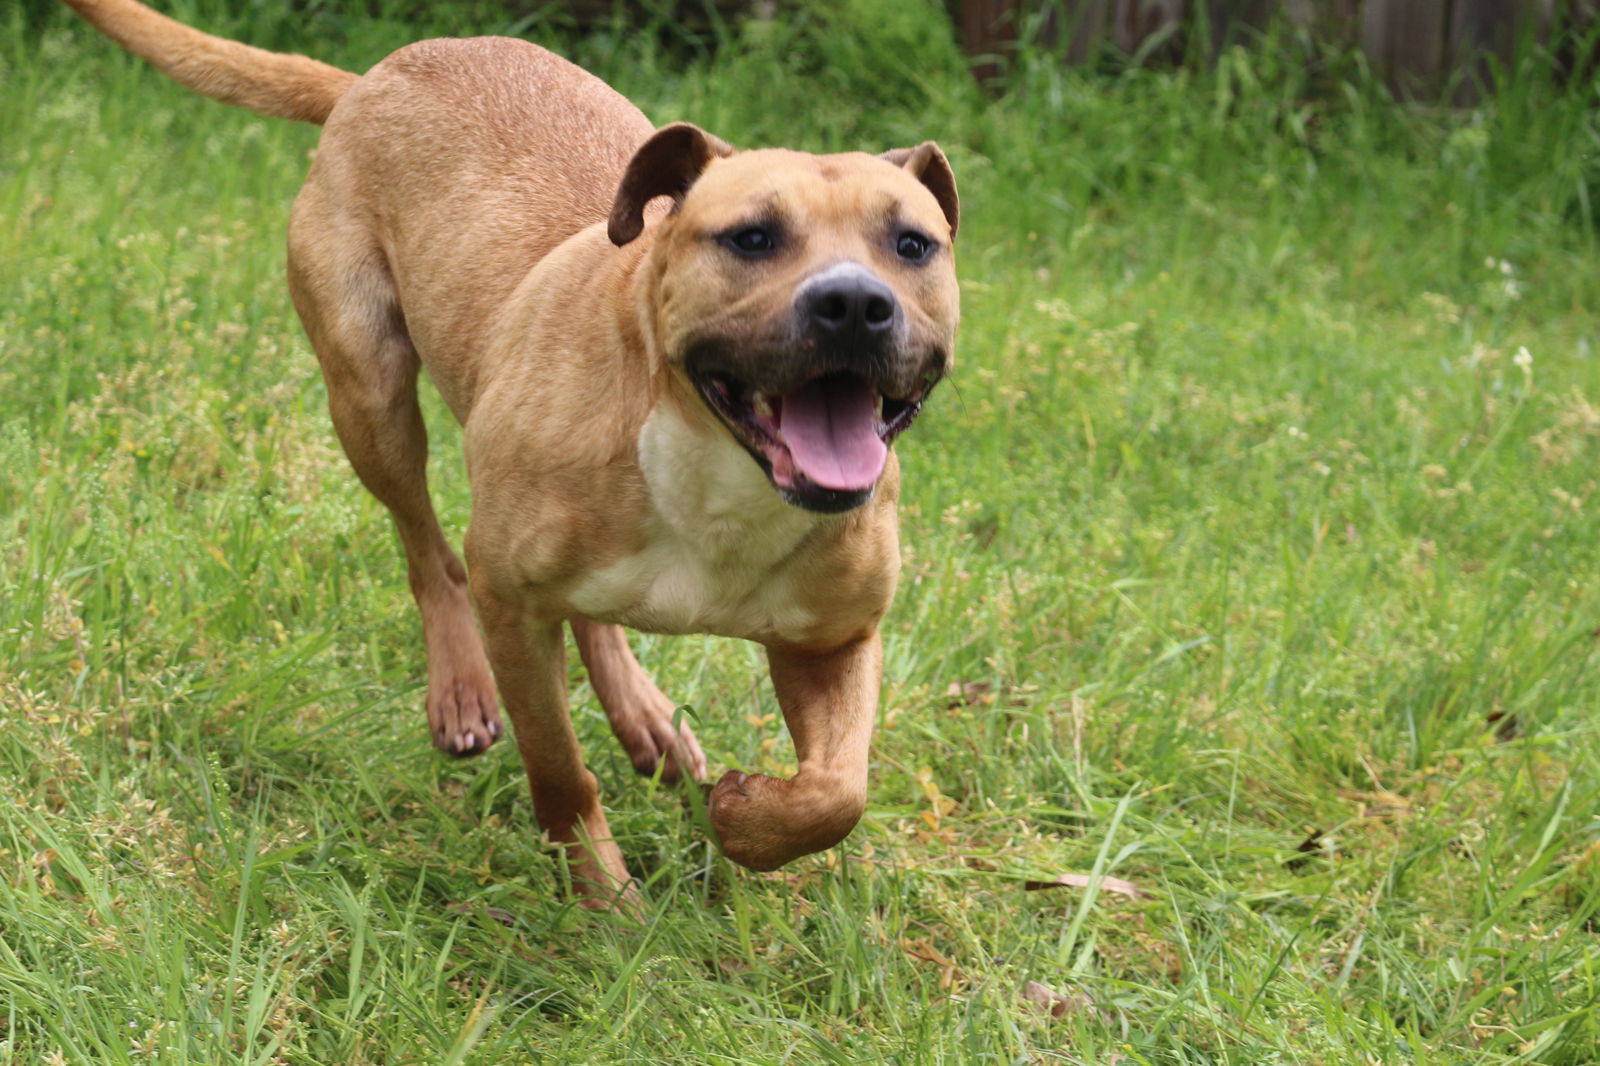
column 266, row 82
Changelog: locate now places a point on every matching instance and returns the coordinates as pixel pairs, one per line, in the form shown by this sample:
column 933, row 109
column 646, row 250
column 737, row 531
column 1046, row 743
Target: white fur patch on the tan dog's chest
column 716, row 545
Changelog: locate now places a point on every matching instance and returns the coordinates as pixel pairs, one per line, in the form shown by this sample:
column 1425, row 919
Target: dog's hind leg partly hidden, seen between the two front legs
column 641, row 715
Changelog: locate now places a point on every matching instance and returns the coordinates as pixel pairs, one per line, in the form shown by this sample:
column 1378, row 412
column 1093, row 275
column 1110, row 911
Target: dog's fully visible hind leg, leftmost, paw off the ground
column 348, row 303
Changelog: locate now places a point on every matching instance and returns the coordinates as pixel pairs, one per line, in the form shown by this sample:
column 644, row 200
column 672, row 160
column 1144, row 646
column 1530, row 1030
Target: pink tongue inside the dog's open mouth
column 831, row 428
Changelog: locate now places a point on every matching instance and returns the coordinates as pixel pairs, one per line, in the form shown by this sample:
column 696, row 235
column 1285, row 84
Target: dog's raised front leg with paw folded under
column 830, row 703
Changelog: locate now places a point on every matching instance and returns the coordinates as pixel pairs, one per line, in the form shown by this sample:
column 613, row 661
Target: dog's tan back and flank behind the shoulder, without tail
column 468, row 162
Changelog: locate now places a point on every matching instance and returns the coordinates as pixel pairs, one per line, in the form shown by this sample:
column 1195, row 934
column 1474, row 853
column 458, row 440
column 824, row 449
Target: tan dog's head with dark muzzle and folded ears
column 810, row 302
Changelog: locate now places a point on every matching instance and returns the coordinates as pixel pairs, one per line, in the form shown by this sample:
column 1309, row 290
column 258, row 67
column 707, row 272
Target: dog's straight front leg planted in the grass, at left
column 529, row 659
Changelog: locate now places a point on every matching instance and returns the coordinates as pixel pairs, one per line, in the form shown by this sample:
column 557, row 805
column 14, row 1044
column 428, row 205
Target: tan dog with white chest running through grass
column 678, row 414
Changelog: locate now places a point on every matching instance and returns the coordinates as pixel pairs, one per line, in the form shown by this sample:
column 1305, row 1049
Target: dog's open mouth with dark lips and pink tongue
column 823, row 444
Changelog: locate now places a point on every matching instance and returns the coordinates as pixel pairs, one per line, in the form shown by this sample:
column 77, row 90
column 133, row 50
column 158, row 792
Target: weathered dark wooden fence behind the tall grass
column 1422, row 47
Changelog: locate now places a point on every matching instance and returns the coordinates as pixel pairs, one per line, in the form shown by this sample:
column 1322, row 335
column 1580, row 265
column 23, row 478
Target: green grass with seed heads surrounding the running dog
column 1250, row 561
